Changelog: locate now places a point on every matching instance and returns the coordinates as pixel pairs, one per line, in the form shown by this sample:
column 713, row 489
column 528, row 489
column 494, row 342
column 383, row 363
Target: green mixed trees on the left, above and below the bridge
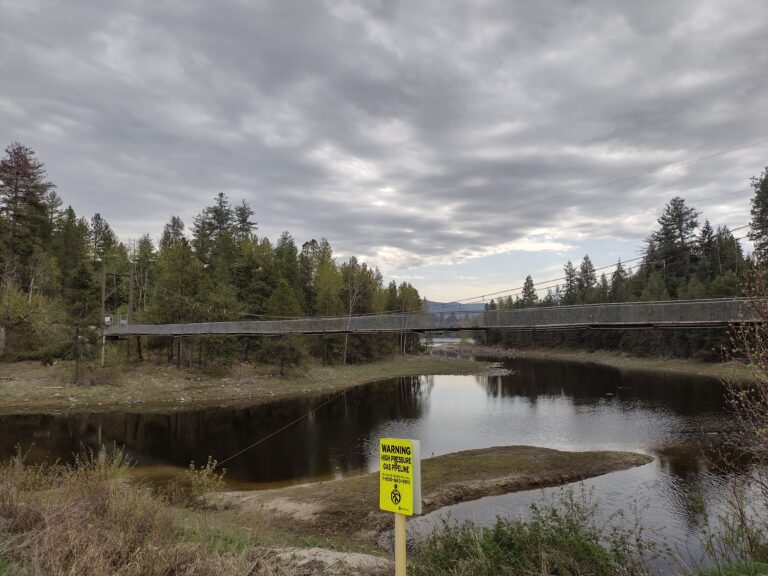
column 55, row 265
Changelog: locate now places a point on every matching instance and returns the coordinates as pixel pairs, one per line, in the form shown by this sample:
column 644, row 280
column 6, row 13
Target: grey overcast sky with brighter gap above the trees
column 458, row 145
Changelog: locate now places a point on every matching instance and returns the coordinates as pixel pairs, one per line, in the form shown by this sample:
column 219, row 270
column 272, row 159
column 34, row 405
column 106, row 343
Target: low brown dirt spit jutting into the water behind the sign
column 349, row 507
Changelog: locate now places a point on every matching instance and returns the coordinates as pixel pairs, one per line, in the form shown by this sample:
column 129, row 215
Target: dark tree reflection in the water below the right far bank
column 585, row 384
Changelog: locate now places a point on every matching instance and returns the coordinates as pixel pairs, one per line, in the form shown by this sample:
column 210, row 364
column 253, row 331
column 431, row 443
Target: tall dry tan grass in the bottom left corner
column 87, row 519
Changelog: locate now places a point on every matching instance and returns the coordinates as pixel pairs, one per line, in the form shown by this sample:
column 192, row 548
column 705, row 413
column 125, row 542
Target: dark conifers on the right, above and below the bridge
column 682, row 258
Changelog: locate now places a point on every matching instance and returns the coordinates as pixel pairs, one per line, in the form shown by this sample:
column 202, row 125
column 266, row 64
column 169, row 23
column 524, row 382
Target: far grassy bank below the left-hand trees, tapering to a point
column 29, row 387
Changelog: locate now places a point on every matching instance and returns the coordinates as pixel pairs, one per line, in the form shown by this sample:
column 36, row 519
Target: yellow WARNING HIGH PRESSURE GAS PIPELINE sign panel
column 399, row 476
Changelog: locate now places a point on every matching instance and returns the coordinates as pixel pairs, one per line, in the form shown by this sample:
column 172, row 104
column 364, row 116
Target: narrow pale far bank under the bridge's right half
column 727, row 371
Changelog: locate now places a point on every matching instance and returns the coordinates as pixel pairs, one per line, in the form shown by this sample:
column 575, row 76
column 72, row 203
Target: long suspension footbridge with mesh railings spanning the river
column 626, row 315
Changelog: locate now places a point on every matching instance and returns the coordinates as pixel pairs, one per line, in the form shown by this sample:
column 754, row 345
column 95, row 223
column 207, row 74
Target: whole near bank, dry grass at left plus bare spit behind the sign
column 88, row 519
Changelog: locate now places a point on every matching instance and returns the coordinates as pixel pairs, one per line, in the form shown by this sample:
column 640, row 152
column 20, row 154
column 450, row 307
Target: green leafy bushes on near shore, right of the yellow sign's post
column 562, row 537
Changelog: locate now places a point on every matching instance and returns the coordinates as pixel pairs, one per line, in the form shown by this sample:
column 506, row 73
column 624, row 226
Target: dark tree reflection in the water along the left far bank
column 324, row 442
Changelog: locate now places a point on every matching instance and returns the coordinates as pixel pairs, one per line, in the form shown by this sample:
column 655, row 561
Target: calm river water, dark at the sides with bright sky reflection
column 543, row 403
